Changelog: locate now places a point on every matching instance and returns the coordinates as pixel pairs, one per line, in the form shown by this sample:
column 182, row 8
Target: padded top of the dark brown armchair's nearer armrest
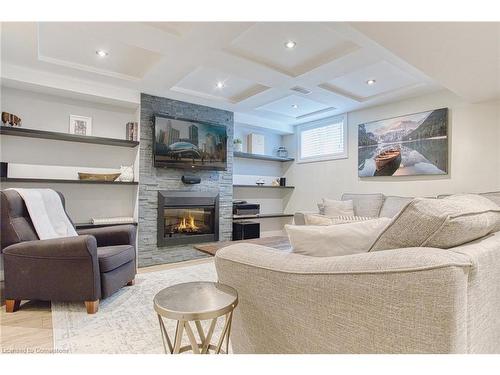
column 56, row 248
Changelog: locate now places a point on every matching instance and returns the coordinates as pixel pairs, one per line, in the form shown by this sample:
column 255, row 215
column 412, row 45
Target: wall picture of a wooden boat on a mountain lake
column 410, row 145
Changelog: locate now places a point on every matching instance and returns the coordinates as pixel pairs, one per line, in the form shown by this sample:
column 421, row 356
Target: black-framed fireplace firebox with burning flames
column 186, row 217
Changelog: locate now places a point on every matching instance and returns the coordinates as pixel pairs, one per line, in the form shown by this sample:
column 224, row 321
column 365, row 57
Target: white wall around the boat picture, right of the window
column 474, row 159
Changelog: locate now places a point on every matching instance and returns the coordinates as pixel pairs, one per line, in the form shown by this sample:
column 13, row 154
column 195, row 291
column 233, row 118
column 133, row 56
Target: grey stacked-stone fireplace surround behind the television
column 152, row 180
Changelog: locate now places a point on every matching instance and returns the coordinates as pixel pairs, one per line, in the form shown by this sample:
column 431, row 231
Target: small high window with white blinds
column 323, row 140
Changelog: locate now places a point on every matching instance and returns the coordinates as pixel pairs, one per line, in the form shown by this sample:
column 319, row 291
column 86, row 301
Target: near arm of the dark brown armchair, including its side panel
column 61, row 269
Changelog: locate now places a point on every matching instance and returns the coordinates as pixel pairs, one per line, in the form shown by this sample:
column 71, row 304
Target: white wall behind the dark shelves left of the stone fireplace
column 48, row 112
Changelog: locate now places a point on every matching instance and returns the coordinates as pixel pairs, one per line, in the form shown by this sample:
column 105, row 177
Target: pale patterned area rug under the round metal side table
column 126, row 322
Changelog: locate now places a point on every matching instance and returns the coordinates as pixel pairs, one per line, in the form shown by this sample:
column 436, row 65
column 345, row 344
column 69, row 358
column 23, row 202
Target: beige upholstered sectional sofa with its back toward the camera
column 411, row 300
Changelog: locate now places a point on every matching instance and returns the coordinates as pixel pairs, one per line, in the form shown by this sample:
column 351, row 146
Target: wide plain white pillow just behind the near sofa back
column 335, row 240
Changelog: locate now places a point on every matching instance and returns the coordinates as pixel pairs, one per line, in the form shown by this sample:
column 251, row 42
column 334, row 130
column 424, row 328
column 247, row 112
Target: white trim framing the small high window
column 318, row 124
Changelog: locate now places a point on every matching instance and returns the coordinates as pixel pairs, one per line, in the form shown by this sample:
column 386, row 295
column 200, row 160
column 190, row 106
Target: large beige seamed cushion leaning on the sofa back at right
column 440, row 223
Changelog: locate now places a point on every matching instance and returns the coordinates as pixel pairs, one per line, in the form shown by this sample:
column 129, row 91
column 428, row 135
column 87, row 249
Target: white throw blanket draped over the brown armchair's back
column 47, row 213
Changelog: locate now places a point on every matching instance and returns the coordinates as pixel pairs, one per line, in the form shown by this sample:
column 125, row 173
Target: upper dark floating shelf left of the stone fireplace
column 43, row 134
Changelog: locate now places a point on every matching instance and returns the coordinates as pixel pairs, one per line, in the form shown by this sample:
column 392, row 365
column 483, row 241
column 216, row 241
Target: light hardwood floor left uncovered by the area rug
column 29, row 330
